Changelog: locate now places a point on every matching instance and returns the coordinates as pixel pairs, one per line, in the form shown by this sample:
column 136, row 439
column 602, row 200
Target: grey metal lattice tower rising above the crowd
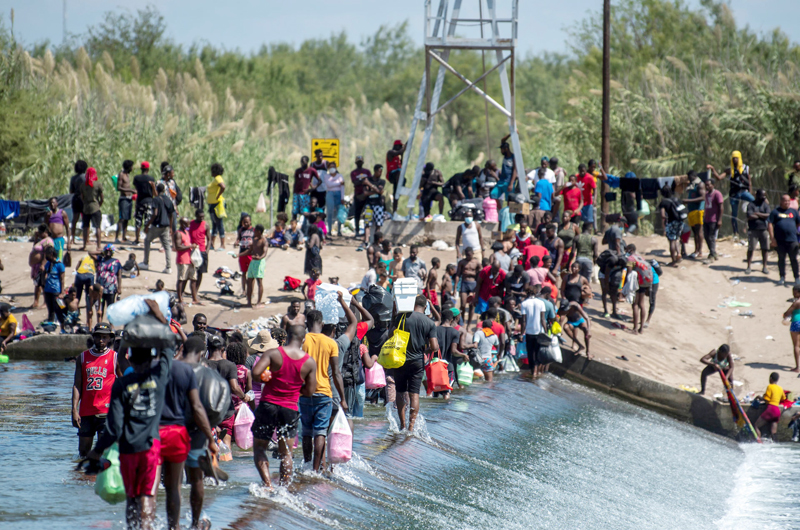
column 438, row 45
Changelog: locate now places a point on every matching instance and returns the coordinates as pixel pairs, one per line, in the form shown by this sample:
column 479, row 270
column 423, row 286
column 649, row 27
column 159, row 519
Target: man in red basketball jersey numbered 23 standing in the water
column 96, row 369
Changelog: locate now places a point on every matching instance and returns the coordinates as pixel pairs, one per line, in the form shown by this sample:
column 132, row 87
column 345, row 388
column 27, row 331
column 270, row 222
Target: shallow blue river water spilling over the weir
column 512, row 455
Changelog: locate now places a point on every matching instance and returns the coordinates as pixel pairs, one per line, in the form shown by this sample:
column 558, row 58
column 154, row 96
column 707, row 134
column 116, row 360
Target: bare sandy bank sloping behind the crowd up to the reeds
column 688, row 321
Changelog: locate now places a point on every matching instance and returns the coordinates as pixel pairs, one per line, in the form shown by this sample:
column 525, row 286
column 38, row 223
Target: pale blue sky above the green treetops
column 247, row 24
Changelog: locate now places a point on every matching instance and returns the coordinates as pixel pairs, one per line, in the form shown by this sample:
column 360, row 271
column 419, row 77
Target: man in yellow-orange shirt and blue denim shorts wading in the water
column 315, row 411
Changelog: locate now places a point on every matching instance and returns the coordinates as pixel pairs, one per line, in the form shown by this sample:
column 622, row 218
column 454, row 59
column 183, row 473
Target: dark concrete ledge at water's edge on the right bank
column 700, row 411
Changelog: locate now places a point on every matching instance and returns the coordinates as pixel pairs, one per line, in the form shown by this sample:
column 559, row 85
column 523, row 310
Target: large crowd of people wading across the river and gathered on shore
column 506, row 297
